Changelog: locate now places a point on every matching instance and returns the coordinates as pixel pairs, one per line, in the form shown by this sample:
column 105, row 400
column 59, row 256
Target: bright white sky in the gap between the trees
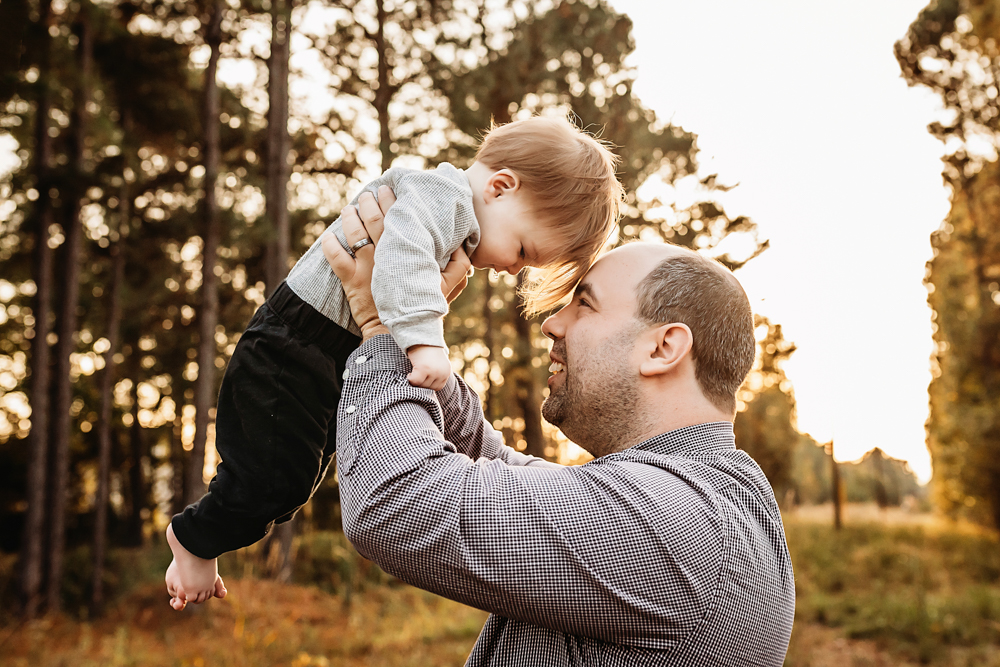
column 802, row 104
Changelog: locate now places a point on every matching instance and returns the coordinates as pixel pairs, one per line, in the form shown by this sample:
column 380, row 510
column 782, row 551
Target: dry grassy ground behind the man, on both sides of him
column 889, row 589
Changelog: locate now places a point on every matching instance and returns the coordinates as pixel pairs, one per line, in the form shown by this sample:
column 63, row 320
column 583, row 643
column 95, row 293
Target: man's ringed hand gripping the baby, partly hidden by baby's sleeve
column 366, row 221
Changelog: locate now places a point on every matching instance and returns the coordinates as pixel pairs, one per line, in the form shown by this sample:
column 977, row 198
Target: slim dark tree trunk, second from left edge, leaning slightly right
column 68, row 319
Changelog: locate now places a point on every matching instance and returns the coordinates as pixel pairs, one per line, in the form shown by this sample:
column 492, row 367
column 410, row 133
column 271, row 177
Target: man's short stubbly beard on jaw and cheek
column 596, row 405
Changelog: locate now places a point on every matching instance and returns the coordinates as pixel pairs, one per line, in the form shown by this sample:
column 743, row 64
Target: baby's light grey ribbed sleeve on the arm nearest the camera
column 420, row 233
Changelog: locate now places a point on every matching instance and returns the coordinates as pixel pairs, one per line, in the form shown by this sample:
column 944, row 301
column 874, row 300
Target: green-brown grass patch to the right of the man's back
column 915, row 590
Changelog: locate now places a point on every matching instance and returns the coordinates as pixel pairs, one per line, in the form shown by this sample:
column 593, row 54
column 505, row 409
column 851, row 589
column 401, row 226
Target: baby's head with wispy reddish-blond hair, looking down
column 545, row 195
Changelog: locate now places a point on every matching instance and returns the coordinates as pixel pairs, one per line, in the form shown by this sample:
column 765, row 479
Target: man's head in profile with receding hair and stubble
column 656, row 337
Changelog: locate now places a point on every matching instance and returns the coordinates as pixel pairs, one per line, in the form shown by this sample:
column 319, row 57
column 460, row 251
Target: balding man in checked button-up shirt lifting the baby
column 667, row 549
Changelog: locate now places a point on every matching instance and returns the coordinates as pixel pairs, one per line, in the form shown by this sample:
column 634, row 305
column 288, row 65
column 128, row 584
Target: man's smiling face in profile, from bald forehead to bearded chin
column 594, row 386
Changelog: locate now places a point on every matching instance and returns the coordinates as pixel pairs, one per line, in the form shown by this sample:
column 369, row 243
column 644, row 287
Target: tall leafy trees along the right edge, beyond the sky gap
column 952, row 49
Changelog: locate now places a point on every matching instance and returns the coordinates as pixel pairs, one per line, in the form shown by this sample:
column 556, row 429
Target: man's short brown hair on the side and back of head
column 704, row 295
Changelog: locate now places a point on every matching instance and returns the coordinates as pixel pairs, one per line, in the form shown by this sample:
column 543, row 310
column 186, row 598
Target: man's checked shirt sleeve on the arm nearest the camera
column 528, row 542
